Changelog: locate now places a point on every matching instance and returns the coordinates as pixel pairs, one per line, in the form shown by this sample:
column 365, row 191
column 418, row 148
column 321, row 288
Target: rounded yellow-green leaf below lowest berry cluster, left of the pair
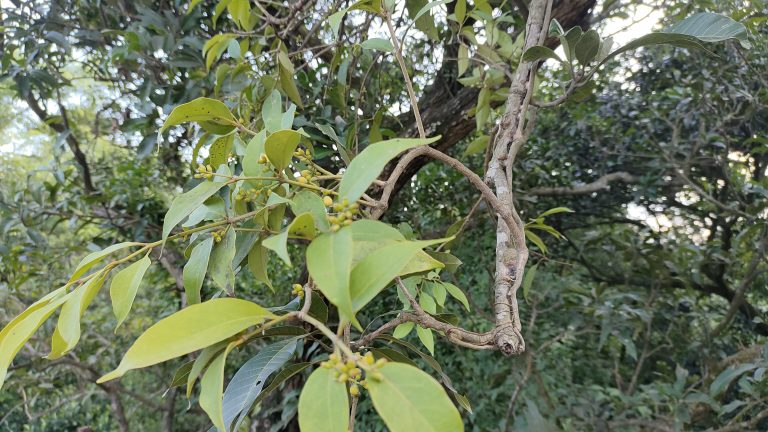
column 323, row 404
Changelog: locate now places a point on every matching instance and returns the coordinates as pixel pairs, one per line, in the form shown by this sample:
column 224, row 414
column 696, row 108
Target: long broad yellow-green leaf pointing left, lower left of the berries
column 188, row 330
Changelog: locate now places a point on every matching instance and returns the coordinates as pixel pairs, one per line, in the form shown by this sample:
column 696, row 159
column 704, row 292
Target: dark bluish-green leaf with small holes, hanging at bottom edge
column 249, row 380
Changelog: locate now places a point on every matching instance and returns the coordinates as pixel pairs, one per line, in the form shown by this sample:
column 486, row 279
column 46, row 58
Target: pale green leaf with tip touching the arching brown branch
column 367, row 166
